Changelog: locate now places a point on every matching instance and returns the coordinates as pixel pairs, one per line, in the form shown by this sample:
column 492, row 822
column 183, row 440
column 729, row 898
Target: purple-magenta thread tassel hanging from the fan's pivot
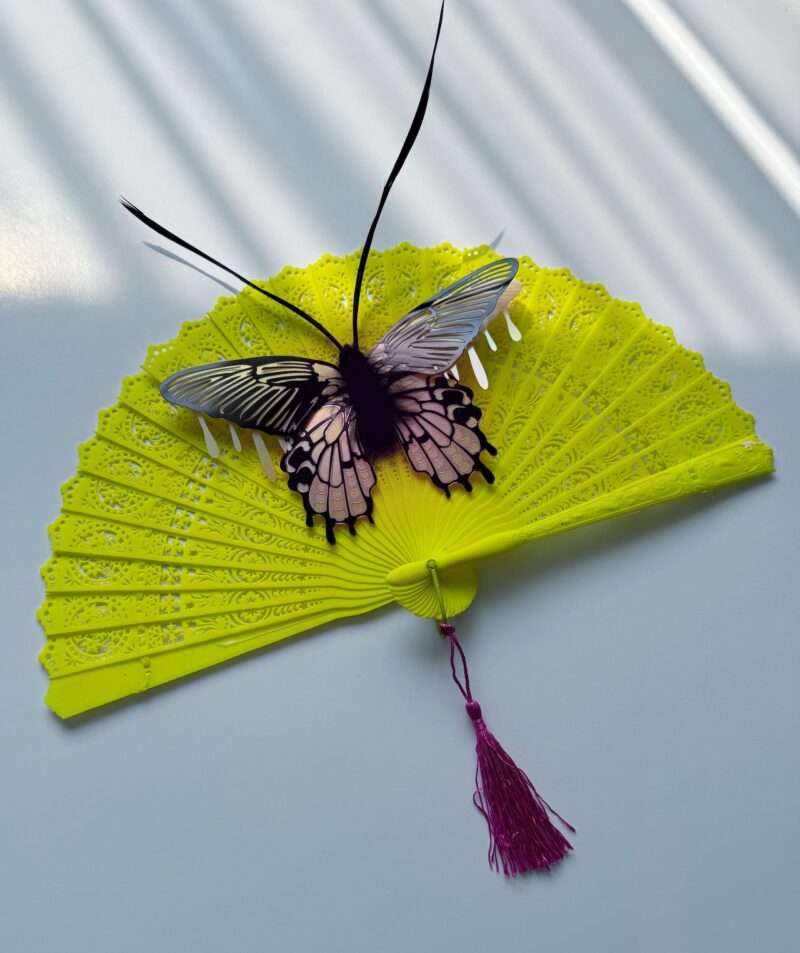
column 521, row 836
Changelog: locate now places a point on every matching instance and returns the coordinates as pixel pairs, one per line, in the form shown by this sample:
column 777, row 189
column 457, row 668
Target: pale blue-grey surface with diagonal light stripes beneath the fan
column 317, row 796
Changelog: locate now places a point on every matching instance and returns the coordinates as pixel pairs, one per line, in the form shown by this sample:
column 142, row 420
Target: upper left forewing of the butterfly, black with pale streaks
column 273, row 394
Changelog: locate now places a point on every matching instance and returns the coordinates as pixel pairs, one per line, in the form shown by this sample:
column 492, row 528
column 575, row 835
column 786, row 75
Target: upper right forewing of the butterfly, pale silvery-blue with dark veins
column 432, row 337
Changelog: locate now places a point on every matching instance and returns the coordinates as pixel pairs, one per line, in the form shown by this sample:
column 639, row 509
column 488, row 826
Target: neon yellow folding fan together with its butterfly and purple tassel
column 180, row 545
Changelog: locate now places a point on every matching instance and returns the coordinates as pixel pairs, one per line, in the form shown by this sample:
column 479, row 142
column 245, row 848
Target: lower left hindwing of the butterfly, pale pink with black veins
column 327, row 466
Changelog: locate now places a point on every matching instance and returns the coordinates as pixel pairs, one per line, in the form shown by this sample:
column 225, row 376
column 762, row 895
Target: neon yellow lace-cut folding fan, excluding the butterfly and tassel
column 167, row 560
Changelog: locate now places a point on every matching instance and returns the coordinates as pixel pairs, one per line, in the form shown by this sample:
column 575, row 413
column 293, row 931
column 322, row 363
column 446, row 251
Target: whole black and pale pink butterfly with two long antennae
column 335, row 420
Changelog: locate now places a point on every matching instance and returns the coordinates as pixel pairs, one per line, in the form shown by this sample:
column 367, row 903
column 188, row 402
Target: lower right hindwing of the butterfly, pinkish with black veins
column 437, row 426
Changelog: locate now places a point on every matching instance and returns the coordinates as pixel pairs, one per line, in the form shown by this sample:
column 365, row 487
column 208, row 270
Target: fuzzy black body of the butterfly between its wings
column 368, row 391
